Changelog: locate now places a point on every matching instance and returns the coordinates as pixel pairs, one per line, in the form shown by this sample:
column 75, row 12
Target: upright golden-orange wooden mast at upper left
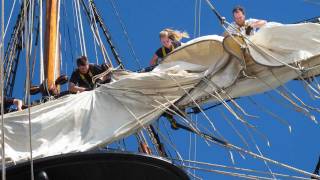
column 51, row 58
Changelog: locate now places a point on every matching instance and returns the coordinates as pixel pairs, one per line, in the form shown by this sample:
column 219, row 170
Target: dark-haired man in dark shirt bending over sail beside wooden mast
column 81, row 78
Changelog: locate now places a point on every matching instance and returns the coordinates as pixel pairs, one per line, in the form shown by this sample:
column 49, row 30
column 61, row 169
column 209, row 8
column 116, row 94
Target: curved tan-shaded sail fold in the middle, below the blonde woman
column 222, row 68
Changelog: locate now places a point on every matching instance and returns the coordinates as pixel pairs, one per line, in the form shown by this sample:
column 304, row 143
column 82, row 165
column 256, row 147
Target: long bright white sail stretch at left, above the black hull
column 83, row 121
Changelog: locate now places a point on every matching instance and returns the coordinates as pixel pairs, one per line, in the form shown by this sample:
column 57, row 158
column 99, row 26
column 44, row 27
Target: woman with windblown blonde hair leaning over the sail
column 170, row 39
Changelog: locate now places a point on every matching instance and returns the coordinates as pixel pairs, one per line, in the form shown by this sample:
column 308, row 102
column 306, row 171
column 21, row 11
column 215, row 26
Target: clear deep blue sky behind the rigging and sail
column 144, row 19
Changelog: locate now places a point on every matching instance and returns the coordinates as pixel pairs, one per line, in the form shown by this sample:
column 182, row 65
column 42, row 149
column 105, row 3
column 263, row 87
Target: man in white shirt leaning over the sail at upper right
column 241, row 25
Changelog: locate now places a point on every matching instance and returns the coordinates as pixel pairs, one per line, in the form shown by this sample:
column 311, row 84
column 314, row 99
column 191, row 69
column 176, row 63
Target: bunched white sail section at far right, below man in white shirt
column 285, row 44
